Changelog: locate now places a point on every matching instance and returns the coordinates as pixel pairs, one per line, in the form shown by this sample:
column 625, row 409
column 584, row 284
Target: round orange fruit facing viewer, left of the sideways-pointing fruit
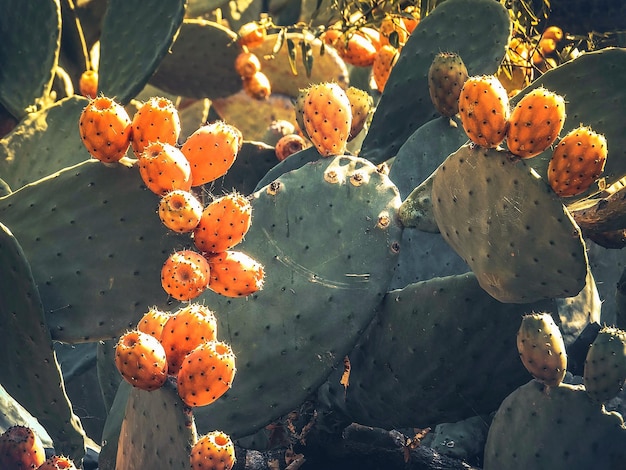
column 185, row 275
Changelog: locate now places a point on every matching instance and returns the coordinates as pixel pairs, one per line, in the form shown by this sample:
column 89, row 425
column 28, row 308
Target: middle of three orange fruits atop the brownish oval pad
column 535, row 123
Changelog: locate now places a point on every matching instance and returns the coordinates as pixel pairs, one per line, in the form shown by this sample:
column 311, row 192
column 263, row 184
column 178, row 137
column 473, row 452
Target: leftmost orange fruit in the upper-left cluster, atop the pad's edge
column 105, row 129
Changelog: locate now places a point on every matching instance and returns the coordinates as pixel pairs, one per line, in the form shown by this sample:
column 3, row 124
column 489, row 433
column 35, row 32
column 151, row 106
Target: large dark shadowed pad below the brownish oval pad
column 417, row 365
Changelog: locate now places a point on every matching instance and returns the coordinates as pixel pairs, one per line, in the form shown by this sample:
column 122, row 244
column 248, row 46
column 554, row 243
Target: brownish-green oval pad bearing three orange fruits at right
column 509, row 226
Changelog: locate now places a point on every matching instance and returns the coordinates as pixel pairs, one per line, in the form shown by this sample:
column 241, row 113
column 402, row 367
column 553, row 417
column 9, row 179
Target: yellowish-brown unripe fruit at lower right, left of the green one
column 541, row 348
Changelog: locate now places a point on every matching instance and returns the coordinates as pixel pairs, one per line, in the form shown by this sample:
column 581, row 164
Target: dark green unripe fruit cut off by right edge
column 605, row 365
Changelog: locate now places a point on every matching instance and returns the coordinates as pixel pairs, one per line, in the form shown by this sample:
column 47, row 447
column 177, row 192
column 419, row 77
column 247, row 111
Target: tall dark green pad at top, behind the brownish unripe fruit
column 406, row 105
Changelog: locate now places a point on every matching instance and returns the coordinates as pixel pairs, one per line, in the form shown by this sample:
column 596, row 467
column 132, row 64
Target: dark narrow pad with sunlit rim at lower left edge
column 31, row 373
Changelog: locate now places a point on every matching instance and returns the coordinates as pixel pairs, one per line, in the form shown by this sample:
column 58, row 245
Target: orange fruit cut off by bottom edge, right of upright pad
column 213, row 451
